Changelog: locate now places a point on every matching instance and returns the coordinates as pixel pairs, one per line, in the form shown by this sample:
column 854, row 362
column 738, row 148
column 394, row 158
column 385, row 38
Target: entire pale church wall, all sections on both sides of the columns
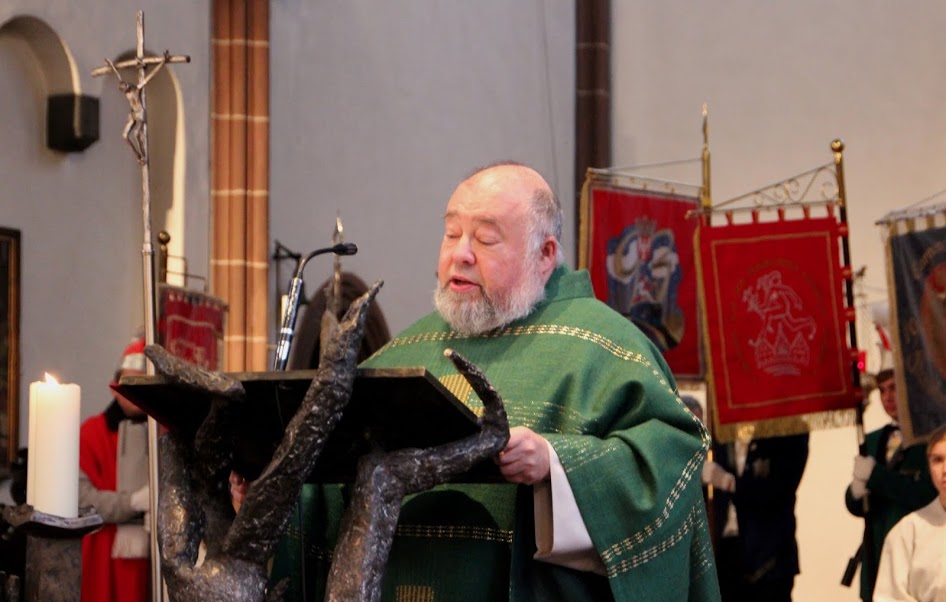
column 379, row 109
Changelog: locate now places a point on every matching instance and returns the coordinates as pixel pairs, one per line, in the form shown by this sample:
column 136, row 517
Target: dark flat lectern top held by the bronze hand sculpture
column 390, row 408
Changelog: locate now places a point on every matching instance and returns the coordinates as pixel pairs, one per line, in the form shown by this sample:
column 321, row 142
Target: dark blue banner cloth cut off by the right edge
column 917, row 270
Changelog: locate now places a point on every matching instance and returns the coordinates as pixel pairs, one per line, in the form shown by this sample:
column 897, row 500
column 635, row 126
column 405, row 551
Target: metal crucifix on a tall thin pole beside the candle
column 135, row 134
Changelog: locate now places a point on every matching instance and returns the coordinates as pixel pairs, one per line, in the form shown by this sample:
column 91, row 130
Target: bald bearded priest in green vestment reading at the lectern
column 601, row 496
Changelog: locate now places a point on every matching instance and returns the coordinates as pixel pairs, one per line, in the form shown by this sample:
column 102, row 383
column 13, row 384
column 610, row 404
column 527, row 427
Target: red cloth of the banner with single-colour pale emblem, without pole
column 776, row 319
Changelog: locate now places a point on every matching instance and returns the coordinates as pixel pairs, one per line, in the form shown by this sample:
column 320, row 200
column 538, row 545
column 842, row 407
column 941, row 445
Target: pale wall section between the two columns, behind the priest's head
column 379, row 109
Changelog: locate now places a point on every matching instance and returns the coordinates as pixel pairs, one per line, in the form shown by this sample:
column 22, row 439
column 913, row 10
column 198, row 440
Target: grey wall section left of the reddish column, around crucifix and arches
column 80, row 213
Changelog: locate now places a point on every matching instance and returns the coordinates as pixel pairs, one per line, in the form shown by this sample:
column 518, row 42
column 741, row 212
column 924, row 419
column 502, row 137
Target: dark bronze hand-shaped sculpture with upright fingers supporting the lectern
column 195, row 505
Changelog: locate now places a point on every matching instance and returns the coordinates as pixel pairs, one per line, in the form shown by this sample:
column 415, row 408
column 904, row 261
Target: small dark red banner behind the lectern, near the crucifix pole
column 190, row 325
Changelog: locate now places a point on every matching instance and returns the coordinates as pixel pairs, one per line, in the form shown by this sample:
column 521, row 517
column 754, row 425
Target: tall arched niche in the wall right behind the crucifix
column 167, row 155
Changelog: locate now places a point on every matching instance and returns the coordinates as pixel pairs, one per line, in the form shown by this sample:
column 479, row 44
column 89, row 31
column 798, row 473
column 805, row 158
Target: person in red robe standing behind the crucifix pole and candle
column 113, row 462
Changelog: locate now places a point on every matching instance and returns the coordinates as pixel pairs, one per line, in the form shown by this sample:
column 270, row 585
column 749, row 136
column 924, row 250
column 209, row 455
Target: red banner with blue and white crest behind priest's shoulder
column 638, row 248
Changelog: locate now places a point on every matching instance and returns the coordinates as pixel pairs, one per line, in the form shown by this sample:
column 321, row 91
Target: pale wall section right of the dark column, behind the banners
column 782, row 79
